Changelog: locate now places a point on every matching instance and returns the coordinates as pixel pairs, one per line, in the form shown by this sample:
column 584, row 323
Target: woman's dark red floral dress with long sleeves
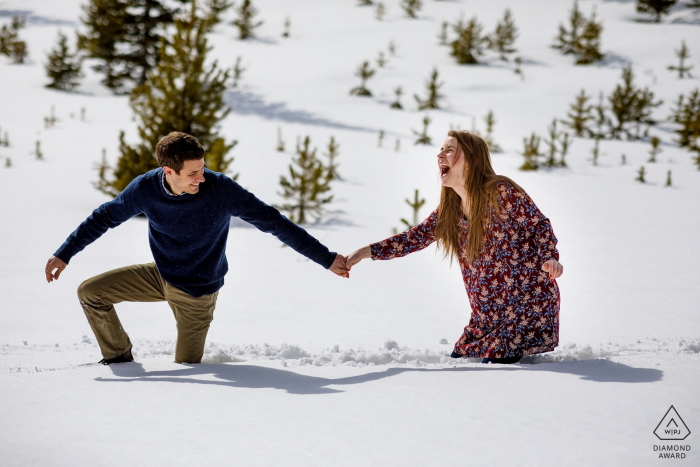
column 515, row 306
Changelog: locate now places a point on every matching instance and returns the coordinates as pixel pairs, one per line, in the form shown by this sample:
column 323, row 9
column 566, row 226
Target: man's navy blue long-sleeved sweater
column 188, row 233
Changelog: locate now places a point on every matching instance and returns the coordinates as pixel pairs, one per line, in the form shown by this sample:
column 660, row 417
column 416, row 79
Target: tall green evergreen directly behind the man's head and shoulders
column 181, row 94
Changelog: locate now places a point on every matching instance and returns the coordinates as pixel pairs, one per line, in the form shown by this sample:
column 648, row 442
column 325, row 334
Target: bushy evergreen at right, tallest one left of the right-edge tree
column 630, row 105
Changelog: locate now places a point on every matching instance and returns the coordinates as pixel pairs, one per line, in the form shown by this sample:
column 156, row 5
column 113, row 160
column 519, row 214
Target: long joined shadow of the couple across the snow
column 258, row 377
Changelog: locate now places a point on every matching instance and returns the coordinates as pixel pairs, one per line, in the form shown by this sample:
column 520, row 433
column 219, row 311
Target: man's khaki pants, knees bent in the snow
column 143, row 283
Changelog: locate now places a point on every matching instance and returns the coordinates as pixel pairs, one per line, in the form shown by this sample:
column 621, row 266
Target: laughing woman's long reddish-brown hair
column 481, row 185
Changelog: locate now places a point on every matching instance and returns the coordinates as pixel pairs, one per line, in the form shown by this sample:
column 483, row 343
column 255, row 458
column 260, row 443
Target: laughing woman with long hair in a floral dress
column 505, row 247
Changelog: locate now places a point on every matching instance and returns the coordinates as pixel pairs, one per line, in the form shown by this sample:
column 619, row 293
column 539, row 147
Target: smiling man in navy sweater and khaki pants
column 189, row 209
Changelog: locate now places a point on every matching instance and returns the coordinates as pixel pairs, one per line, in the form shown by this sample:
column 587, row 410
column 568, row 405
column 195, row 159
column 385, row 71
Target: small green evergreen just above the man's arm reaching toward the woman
column 306, row 187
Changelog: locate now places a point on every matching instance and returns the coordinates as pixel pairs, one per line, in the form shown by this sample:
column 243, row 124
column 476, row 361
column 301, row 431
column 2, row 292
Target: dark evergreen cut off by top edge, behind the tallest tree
column 125, row 36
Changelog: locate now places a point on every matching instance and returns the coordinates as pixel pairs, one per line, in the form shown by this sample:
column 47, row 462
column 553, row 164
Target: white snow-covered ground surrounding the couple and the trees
column 305, row 368
